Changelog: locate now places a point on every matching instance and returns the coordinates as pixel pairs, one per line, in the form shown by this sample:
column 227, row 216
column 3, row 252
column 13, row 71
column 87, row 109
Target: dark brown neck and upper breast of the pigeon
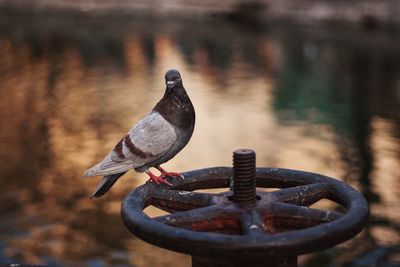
column 177, row 108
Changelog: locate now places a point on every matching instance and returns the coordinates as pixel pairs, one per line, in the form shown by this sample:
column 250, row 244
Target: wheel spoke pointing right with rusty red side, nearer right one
column 289, row 216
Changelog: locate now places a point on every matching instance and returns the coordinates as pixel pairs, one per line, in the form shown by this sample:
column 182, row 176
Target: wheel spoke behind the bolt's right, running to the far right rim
column 304, row 195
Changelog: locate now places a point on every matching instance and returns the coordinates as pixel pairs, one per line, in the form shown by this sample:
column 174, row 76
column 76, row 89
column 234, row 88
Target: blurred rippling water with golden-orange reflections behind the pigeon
column 317, row 100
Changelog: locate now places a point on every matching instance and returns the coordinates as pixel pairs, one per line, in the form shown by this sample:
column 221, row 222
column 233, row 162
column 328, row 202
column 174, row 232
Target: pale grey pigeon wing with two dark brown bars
column 147, row 141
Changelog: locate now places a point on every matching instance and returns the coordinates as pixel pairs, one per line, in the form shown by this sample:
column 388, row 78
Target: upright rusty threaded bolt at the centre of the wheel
column 244, row 176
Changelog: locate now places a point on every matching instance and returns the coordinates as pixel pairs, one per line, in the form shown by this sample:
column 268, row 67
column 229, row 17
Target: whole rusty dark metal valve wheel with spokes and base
column 221, row 229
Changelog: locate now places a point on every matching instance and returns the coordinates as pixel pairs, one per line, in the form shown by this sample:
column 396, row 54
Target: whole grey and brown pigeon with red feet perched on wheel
column 154, row 140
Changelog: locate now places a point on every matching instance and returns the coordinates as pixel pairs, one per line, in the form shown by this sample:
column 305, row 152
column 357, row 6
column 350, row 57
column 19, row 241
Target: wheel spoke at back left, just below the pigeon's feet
column 174, row 200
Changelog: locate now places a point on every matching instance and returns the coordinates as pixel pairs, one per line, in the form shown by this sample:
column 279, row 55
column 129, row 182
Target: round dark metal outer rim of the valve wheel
column 213, row 244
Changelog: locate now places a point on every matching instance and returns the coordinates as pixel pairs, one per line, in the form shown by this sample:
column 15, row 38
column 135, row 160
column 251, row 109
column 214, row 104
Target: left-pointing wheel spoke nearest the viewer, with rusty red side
column 211, row 219
